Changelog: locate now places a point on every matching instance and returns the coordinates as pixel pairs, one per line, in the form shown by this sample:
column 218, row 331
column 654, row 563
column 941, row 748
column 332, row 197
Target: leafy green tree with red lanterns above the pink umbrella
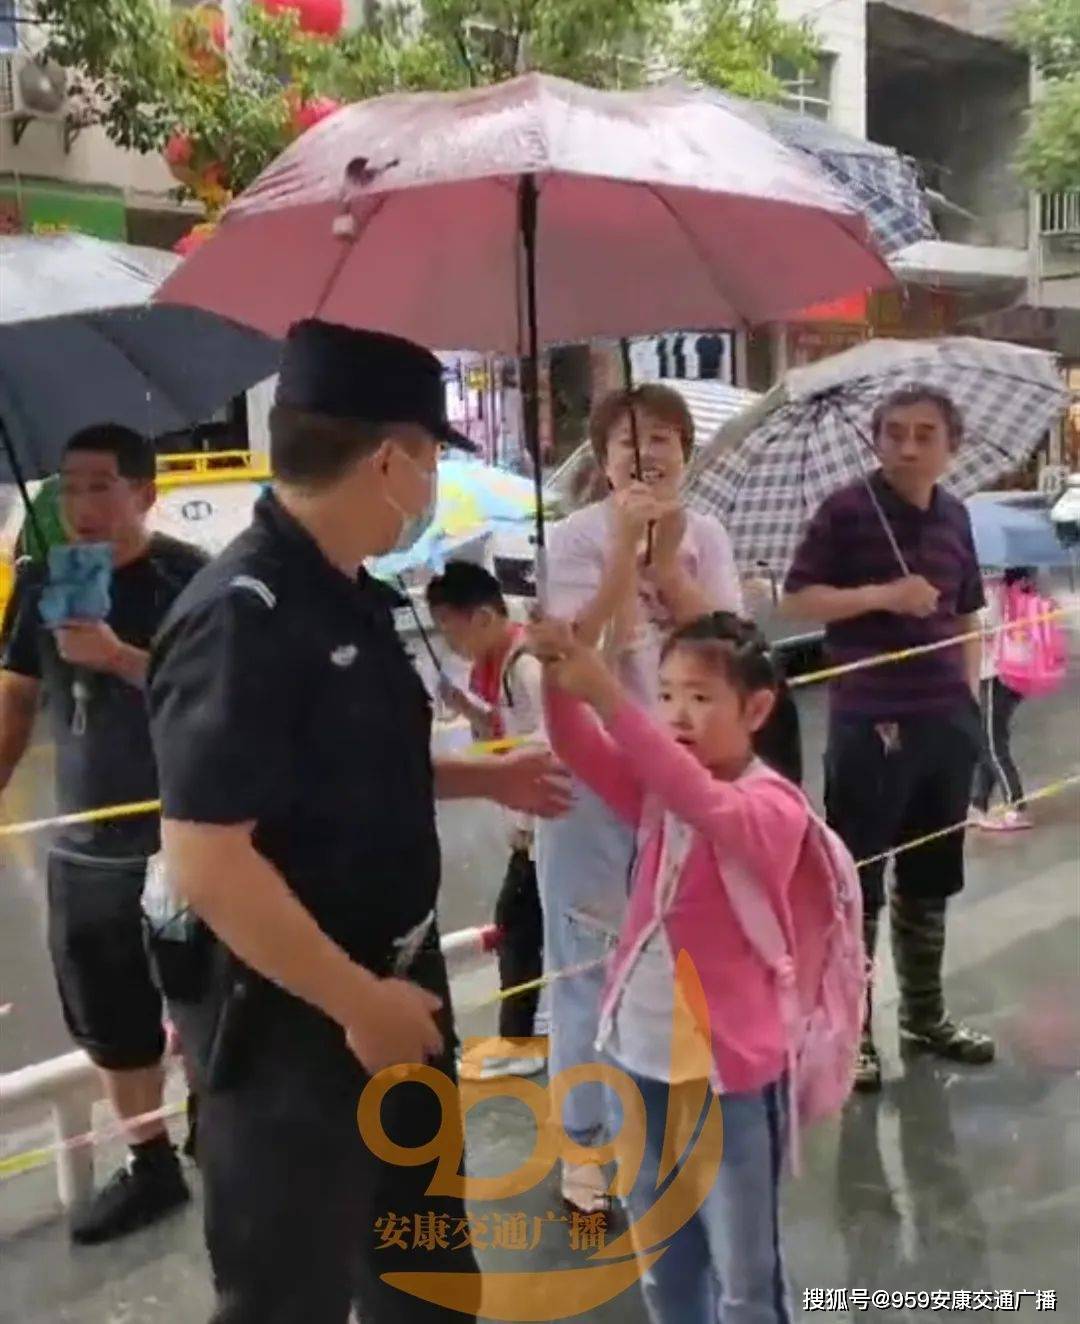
column 159, row 81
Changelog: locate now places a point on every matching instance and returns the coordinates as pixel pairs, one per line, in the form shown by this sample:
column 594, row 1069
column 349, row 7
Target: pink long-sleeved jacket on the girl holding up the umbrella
column 762, row 820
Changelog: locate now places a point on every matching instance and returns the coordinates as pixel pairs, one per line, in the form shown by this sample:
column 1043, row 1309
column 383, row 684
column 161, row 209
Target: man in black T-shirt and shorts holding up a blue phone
column 92, row 676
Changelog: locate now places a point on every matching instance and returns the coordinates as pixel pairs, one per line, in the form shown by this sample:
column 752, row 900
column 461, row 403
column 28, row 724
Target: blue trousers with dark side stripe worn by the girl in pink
column 726, row 1265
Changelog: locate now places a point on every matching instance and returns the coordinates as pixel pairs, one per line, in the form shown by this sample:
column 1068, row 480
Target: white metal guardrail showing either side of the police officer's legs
column 68, row 1086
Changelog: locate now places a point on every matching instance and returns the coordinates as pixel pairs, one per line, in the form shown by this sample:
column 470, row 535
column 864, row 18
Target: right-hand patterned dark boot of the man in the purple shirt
column 919, row 953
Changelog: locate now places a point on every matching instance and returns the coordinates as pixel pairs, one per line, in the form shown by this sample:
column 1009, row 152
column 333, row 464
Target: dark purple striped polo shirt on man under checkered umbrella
column 846, row 547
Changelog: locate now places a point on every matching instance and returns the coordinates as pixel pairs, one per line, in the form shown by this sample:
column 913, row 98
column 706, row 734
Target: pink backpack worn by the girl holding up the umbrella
column 821, row 972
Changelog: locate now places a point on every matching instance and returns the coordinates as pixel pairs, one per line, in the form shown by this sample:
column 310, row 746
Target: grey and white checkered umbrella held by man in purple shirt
column 770, row 469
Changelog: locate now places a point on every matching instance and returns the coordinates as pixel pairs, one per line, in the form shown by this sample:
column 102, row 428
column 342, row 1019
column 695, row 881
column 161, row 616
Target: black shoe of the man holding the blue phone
column 150, row 1187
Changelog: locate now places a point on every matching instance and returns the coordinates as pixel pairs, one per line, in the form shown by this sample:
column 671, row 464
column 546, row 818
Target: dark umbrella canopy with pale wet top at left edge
column 80, row 344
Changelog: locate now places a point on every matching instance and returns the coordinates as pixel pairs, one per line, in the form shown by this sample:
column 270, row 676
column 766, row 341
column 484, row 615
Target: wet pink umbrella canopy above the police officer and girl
column 428, row 215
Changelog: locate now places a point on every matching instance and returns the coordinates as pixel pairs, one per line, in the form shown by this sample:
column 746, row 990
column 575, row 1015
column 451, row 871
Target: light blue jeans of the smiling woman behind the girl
column 583, row 868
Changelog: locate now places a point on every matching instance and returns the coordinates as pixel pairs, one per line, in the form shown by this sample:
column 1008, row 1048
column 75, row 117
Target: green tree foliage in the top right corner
column 1050, row 152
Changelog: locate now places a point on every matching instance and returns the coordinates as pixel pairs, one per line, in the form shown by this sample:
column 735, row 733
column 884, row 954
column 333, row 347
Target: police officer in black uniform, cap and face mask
column 293, row 739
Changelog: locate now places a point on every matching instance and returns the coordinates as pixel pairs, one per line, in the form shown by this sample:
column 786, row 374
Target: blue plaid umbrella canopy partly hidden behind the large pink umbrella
column 877, row 181
